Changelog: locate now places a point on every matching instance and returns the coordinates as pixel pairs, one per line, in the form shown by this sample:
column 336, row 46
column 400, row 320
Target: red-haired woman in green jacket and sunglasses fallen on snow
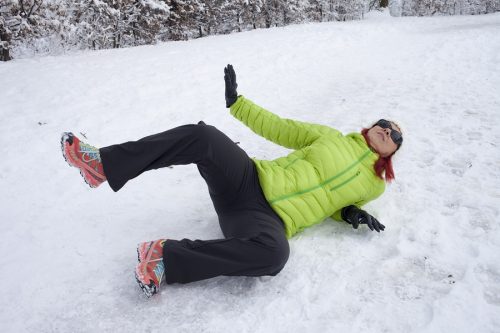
column 259, row 203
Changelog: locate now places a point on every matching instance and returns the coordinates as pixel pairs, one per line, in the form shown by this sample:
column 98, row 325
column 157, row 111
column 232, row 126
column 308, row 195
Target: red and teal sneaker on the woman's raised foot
column 84, row 157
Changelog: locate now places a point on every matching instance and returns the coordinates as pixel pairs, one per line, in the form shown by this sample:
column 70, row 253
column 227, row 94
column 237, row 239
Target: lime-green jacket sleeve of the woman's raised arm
column 284, row 132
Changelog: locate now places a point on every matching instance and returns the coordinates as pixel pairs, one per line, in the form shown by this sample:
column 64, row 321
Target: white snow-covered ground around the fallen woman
column 68, row 251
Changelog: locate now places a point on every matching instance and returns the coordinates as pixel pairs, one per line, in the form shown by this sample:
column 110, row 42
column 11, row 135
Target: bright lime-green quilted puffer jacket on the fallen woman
column 326, row 172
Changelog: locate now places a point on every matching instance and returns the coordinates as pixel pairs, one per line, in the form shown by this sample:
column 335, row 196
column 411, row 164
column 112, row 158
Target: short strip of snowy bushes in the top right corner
column 442, row 7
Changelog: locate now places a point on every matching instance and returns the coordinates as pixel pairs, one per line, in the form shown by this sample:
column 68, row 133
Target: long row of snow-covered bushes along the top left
column 29, row 27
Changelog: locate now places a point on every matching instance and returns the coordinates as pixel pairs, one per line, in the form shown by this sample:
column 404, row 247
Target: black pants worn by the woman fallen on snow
column 255, row 243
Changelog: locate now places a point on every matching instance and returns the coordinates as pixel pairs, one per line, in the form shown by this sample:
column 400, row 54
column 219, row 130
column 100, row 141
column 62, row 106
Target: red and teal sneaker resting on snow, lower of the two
column 150, row 270
